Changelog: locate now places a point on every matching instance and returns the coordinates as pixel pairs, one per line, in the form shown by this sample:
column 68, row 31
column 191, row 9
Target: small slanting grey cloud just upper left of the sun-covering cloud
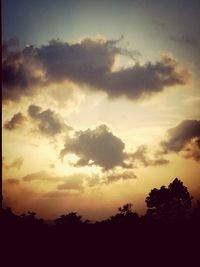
column 48, row 122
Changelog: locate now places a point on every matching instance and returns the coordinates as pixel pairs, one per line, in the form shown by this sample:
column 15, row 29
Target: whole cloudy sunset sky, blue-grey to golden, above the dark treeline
column 100, row 103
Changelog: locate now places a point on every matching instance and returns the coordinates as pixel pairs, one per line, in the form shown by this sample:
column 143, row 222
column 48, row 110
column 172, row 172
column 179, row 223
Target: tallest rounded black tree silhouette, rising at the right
column 169, row 204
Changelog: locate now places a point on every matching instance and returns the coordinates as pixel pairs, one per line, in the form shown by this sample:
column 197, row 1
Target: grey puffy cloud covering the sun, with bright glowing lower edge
column 96, row 147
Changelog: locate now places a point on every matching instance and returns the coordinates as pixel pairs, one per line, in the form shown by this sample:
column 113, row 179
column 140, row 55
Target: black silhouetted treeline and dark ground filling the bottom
column 169, row 229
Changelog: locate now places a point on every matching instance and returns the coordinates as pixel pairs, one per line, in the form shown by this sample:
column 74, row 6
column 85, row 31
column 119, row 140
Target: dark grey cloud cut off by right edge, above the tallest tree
column 185, row 138
